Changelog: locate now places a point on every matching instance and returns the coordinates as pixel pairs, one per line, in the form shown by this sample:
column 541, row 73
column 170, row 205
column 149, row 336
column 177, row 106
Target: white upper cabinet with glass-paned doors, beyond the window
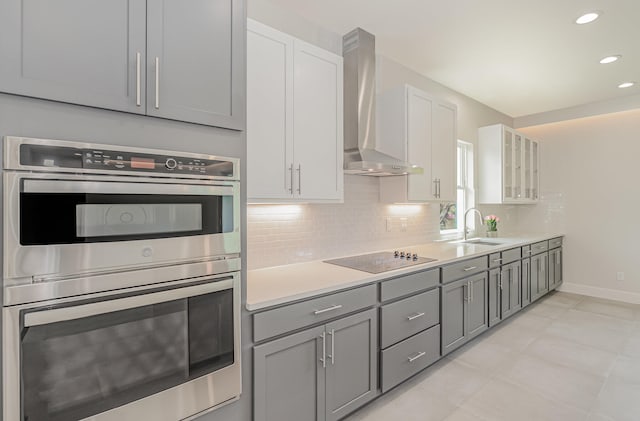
column 508, row 166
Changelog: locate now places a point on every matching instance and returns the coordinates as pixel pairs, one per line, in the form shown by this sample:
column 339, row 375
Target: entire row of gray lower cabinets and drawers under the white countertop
column 324, row 357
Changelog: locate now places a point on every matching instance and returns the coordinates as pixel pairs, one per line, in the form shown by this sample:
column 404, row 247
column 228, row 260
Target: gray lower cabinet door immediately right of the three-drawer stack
column 454, row 317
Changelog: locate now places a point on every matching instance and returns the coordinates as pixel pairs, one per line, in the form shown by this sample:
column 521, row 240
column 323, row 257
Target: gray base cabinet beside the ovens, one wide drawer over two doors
column 321, row 373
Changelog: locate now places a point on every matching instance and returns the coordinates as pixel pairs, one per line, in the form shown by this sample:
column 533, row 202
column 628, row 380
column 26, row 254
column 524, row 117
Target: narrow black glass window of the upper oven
column 67, row 218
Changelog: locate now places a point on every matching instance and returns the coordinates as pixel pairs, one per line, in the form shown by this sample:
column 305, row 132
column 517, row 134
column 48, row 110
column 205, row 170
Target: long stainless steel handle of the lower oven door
column 43, row 317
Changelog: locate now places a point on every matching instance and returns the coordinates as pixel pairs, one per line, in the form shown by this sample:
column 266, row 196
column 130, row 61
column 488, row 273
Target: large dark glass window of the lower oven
column 78, row 368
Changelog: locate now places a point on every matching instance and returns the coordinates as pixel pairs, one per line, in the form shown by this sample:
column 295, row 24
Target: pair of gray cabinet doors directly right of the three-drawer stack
column 464, row 311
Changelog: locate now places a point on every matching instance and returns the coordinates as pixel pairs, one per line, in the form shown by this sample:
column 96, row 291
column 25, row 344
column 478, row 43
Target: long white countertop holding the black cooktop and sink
column 281, row 284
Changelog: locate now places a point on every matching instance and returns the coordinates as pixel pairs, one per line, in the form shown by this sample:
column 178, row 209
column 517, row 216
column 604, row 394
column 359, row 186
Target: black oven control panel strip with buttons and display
column 119, row 160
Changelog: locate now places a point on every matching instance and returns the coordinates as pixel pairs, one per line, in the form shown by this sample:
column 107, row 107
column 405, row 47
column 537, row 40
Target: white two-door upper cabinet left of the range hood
column 294, row 119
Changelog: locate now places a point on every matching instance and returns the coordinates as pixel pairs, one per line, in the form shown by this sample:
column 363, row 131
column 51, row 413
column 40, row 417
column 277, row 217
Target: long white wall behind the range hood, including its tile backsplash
column 278, row 235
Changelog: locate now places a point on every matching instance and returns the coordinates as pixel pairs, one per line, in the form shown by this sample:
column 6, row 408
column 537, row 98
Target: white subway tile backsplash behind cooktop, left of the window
column 284, row 234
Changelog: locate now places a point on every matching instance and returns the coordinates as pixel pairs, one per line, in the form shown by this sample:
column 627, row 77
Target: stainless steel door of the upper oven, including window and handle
column 59, row 225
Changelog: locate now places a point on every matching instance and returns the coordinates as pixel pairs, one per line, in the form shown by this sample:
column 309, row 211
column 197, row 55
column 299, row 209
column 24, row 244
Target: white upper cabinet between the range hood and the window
column 421, row 129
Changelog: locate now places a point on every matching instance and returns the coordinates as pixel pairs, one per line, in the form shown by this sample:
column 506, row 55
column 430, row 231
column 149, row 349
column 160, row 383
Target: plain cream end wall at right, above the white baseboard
column 589, row 184
